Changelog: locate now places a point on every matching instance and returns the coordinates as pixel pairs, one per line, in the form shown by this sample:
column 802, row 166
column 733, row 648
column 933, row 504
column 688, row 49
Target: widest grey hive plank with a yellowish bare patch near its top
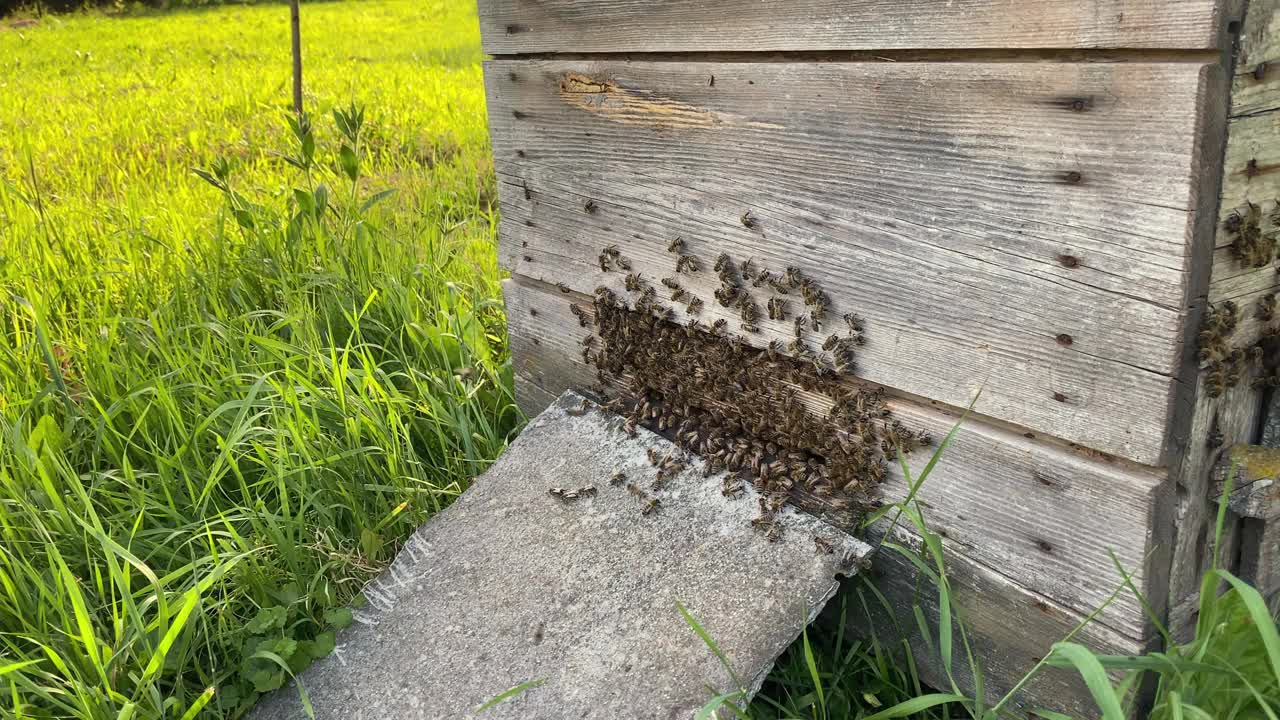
column 1022, row 227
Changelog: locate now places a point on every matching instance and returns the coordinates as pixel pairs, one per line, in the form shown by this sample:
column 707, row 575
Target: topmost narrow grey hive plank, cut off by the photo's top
column 664, row 26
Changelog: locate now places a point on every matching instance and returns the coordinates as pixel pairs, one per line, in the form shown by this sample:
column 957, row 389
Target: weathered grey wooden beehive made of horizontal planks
column 1025, row 198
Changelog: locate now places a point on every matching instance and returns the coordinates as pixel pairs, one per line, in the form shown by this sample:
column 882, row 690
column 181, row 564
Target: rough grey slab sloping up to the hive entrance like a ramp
column 511, row 586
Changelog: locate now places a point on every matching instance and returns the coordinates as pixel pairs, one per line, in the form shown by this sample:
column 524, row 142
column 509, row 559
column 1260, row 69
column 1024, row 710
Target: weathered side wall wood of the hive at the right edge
column 1251, row 174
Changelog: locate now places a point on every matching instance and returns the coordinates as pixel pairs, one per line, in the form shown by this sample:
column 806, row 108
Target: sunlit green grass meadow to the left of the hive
column 221, row 411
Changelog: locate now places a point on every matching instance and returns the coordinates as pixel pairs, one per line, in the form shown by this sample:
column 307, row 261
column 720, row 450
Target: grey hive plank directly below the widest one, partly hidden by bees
column 1043, row 513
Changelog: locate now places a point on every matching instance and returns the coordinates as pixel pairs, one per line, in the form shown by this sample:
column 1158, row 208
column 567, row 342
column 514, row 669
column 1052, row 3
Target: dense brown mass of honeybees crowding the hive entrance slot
column 740, row 408
